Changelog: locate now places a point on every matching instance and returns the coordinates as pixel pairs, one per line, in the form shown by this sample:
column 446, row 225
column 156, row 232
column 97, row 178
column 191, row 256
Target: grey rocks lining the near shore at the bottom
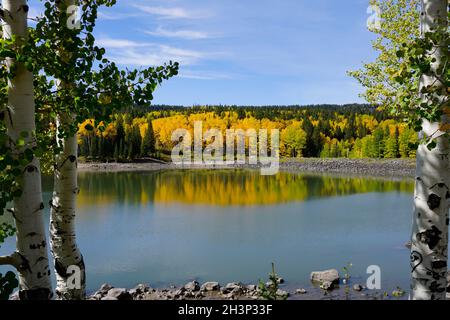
column 325, row 285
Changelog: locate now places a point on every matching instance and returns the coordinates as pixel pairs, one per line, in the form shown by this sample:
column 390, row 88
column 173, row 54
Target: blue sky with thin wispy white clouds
column 245, row 52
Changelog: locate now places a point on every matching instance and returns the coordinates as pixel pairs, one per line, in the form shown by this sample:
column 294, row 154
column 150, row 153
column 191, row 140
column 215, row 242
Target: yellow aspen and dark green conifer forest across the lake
column 328, row 131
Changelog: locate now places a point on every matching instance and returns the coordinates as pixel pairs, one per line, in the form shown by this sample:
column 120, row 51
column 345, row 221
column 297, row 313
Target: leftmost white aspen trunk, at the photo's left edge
column 31, row 257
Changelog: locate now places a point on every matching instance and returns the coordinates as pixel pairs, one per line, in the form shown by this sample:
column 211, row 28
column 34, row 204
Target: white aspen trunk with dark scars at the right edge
column 429, row 251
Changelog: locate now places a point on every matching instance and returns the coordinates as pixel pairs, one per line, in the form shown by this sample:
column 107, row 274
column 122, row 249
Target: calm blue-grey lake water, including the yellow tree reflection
column 170, row 227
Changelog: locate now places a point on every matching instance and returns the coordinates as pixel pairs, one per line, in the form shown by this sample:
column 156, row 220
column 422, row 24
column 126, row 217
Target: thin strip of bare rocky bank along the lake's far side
column 388, row 168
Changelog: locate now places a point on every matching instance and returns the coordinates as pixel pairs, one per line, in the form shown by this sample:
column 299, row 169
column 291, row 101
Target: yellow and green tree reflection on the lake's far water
column 222, row 187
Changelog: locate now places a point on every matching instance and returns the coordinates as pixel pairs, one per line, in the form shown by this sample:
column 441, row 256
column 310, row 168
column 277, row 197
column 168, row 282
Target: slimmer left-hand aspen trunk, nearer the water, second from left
column 69, row 263
